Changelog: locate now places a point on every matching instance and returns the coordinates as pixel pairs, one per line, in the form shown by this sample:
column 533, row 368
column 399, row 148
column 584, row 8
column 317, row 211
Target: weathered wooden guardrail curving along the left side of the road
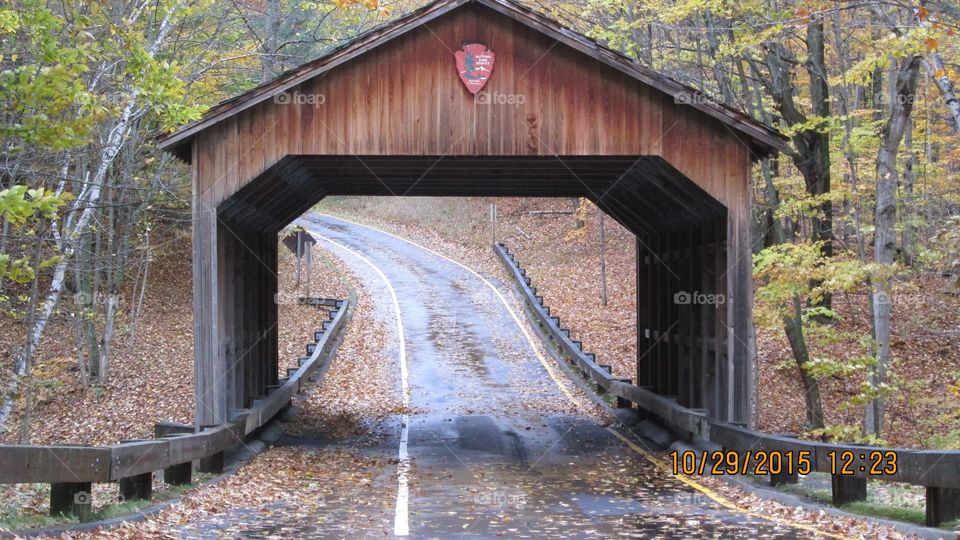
column 71, row 469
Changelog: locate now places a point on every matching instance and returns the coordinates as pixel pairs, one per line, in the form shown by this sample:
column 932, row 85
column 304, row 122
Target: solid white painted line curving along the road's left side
column 401, row 519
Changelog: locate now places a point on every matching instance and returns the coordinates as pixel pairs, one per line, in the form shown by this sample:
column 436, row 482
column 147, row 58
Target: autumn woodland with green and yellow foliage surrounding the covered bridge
column 857, row 239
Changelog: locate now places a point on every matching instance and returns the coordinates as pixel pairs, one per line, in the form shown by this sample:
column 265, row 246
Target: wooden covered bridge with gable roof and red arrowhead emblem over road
column 481, row 98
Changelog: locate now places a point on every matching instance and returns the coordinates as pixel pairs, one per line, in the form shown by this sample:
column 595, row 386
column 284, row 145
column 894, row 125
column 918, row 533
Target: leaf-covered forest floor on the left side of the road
column 151, row 375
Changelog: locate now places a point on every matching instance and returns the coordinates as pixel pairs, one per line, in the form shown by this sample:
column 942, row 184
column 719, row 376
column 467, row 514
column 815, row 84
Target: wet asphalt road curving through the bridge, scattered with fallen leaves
column 490, row 444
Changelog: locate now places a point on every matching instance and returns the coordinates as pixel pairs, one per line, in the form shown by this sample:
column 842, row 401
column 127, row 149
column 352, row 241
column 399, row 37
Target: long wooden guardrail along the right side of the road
column 936, row 470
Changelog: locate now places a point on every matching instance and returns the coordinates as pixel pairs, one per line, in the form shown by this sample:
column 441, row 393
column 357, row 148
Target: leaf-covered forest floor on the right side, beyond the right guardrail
column 563, row 262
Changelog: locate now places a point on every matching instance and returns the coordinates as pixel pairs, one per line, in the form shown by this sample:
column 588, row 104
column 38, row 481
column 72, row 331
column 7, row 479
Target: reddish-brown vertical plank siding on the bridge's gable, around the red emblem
column 406, row 99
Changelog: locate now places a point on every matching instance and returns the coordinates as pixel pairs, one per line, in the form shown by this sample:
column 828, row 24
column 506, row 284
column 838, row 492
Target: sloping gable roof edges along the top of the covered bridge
column 763, row 139
